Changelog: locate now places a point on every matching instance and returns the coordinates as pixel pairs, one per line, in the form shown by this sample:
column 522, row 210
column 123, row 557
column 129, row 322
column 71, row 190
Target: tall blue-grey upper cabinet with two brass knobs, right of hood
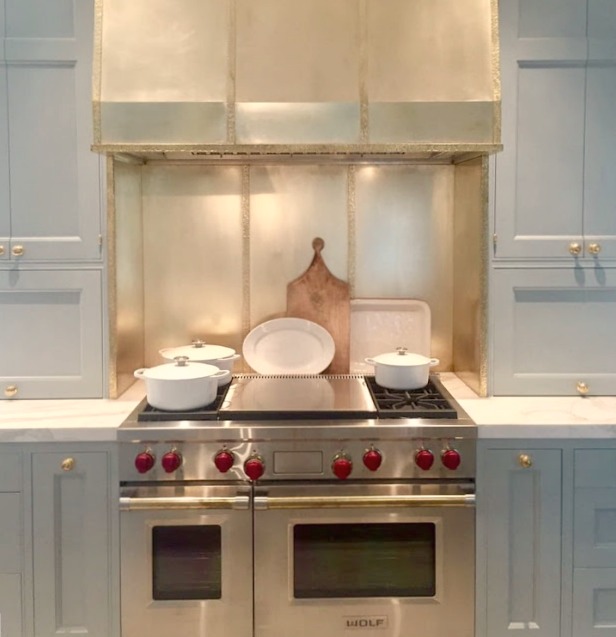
column 555, row 191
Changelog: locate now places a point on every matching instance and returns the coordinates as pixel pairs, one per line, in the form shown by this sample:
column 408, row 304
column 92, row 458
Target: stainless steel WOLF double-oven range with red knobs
column 300, row 505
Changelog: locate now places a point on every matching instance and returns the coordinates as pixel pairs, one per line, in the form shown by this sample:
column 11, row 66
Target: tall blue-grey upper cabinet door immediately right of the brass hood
column 539, row 174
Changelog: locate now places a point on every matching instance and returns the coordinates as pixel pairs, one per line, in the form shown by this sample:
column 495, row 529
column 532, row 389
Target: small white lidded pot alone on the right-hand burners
column 402, row 369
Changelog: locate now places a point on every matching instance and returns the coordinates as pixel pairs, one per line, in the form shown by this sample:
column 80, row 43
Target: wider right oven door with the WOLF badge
column 388, row 560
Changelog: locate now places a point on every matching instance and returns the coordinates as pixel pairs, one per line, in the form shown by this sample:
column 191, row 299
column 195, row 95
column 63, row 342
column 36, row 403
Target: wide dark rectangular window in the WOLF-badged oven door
column 364, row 560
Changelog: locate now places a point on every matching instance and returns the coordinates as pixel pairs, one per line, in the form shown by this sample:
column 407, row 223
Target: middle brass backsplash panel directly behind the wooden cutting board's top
column 289, row 207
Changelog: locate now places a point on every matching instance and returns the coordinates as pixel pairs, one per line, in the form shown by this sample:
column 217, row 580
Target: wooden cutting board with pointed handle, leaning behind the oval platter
column 318, row 296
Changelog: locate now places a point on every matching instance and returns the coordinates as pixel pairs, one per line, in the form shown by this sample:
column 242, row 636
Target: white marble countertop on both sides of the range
column 85, row 420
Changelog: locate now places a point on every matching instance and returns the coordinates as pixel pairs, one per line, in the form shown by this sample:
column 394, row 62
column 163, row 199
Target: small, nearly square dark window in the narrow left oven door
column 186, row 562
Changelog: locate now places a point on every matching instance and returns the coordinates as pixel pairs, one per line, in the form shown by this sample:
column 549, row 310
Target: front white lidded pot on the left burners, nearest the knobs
column 181, row 385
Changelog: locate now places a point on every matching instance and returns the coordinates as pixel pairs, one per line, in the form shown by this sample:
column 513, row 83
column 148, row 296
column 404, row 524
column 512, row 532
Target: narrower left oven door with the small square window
column 186, row 559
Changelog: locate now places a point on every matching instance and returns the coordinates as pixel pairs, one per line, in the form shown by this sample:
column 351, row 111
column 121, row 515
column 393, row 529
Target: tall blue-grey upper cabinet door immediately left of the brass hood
column 55, row 198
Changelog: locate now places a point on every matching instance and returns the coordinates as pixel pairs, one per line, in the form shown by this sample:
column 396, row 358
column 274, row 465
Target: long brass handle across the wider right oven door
column 362, row 501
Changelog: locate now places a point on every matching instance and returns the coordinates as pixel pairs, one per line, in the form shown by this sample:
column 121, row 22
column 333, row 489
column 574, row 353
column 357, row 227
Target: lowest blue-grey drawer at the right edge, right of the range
column 594, row 602
